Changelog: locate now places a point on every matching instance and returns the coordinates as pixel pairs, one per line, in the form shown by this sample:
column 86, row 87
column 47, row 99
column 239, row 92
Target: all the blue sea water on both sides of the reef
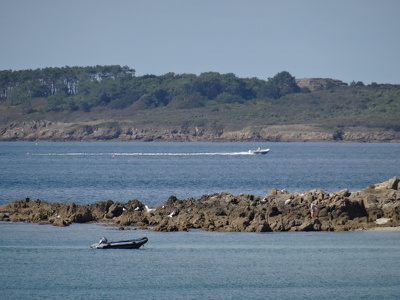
column 48, row 262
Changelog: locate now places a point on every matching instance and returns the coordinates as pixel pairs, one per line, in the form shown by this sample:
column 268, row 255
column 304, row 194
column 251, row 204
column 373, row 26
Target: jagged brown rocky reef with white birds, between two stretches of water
column 376, row 205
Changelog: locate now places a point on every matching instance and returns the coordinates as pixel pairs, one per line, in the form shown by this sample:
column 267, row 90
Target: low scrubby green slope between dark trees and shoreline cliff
column 339, row 107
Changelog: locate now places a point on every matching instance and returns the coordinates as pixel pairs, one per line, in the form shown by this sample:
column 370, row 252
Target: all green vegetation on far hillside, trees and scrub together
column 208, row 97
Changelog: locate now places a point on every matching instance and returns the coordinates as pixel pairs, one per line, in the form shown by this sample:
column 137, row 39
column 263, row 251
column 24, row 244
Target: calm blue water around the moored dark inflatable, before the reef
column 46, row 262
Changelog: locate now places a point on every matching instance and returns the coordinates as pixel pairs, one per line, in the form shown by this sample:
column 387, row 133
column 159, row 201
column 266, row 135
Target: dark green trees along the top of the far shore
column 82, row 88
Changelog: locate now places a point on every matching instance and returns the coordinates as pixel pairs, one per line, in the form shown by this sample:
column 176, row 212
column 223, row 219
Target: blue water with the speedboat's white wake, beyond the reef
column 151, row 172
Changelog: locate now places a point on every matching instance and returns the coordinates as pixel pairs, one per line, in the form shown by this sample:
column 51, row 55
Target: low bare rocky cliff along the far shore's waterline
column 96, row 131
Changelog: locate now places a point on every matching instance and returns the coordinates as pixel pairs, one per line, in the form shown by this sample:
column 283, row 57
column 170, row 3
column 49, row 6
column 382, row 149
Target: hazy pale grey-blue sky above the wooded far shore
column 342, row 39
